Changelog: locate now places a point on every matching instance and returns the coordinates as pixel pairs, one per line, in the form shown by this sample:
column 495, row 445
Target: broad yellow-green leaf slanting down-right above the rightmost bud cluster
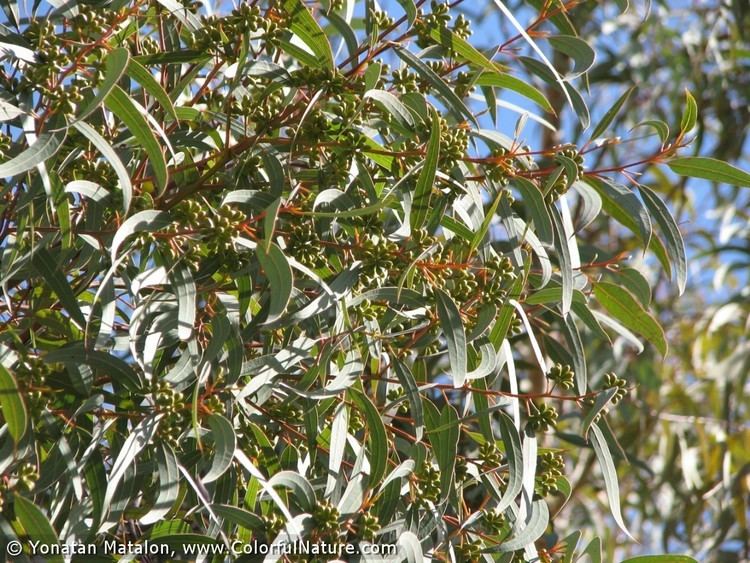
column 621, row 304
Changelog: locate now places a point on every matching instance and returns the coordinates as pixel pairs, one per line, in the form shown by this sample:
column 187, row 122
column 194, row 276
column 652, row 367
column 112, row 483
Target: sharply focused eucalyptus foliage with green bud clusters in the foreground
column 276, row 273
